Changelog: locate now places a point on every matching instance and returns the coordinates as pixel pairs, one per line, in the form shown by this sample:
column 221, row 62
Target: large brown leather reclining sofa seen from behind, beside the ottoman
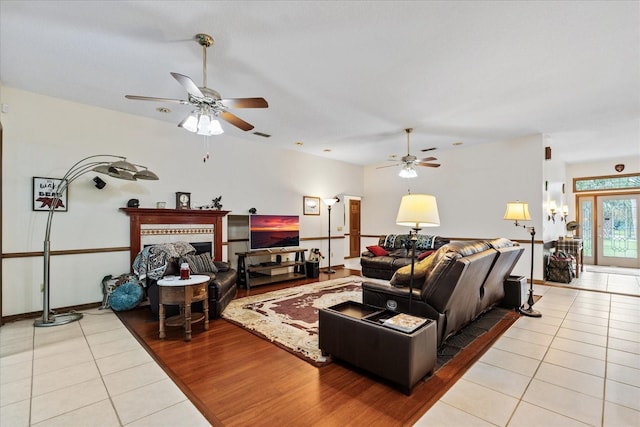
column 452, row 286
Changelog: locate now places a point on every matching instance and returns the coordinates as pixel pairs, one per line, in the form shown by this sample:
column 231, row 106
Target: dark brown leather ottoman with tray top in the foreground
column 349, row 331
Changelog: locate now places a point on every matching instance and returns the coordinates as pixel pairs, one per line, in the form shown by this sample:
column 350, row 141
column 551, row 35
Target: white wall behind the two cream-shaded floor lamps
column 472, row 188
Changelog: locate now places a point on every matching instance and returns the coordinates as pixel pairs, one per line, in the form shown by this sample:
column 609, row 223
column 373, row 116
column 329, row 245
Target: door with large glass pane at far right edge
column 617, row 230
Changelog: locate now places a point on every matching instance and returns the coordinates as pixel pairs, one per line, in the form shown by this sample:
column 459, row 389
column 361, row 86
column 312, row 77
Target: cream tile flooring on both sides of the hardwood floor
column 577, row 365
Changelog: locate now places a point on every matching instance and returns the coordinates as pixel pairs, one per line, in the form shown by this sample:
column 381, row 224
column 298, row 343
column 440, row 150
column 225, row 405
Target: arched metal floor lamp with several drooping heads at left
column 114, row 166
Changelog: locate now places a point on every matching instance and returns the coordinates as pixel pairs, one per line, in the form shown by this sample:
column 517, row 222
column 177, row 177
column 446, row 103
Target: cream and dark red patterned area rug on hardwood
column 289, row 317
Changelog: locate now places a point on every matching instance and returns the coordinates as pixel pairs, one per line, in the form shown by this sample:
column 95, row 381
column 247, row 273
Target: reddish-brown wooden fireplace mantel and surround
column 140, row 216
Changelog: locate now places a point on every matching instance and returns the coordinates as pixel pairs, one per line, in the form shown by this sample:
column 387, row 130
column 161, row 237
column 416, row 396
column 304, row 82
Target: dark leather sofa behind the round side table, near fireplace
column 222, row 283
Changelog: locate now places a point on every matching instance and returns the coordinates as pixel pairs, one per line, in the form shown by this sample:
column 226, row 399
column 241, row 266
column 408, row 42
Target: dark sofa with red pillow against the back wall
column 393, row 252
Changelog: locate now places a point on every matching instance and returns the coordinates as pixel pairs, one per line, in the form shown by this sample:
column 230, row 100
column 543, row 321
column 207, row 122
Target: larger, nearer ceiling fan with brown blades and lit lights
column 208, row 103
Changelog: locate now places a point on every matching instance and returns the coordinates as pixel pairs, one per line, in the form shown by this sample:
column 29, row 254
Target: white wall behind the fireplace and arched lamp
column 246, row 173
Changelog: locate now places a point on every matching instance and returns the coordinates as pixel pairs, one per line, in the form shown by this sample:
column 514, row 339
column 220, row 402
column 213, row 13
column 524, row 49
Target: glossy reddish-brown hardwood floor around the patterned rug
column 237, row 379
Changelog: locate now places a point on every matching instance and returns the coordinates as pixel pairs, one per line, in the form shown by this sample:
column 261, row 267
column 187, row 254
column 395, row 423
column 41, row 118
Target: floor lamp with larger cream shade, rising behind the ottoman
column 417, row 211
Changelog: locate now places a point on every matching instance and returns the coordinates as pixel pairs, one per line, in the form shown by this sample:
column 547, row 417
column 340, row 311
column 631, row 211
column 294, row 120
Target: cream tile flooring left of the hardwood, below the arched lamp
column 87, row 373
